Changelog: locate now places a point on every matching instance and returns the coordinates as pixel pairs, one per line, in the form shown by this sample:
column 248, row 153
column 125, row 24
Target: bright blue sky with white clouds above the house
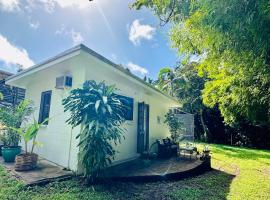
column 33, row 30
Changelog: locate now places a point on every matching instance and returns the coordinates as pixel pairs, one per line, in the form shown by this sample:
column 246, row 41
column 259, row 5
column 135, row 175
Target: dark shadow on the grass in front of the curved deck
column 211, row 185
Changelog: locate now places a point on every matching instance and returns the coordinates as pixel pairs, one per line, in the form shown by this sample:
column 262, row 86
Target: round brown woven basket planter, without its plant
column 25, row 162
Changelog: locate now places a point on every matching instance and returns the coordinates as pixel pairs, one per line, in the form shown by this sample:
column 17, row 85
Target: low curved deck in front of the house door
column 143, row 170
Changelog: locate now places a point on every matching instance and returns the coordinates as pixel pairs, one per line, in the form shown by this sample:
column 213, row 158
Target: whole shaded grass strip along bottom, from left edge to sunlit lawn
column 211, row 185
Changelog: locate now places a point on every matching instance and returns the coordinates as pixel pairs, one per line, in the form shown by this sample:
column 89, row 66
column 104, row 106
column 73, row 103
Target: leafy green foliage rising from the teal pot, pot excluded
column 13, row 116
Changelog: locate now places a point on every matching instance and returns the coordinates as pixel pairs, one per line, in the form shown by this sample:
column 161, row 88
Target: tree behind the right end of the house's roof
column 184, row 83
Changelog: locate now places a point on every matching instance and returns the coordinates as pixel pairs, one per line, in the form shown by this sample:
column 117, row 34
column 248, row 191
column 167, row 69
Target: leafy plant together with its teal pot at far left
column 13, row 116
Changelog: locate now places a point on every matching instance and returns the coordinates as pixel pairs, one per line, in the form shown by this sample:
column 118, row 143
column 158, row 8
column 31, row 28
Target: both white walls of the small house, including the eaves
column 59, row 143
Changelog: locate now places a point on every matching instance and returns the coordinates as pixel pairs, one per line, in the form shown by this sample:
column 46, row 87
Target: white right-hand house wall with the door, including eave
column 128, row 86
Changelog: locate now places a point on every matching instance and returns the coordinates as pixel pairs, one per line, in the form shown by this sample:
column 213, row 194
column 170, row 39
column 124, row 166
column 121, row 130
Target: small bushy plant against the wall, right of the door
column 175, row 126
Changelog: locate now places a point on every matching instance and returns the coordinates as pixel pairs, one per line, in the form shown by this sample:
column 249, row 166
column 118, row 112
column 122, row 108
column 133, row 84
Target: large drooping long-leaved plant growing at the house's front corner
column 99, row 111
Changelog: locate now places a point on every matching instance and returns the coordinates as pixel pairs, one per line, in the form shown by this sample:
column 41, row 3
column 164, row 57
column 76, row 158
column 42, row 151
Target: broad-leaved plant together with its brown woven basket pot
column 28, row 160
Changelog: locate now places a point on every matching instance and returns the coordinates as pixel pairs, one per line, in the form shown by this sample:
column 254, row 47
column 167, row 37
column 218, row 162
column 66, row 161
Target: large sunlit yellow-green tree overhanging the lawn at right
column 233, row 38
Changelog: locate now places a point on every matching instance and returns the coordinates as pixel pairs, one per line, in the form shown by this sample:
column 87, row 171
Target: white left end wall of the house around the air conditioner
column 56, row 136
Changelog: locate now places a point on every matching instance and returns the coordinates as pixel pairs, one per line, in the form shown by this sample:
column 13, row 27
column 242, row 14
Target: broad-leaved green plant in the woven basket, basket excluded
column 29, row 133
